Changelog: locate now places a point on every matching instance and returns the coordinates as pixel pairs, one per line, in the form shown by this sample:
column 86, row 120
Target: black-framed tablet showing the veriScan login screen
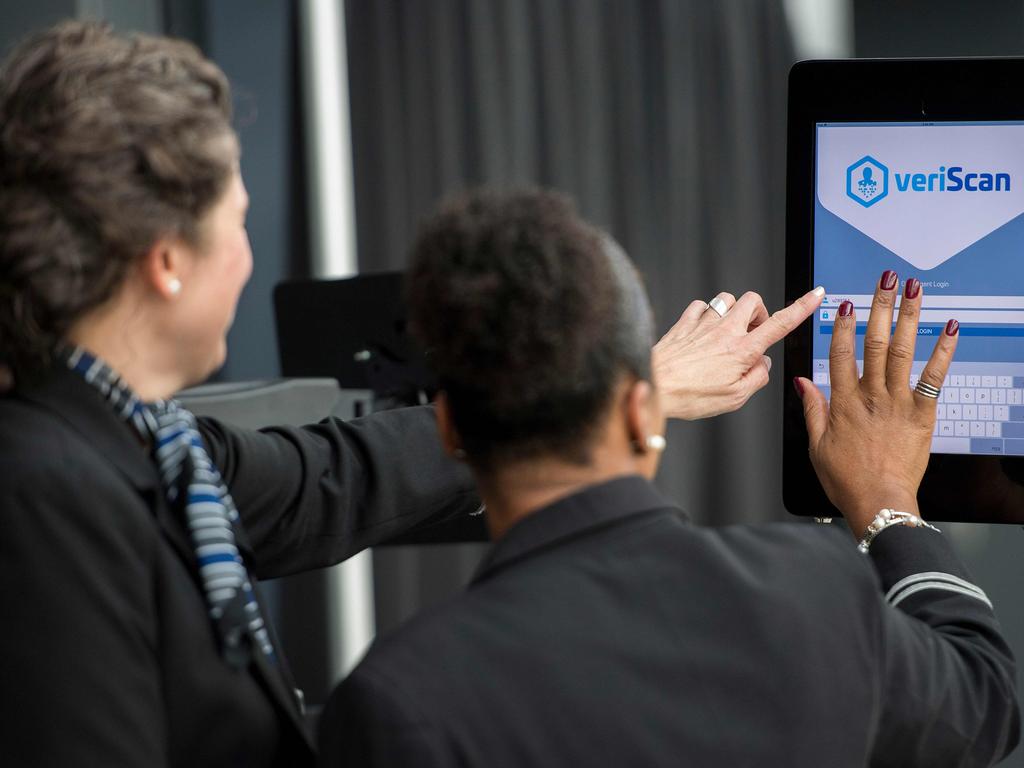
column 917, row 166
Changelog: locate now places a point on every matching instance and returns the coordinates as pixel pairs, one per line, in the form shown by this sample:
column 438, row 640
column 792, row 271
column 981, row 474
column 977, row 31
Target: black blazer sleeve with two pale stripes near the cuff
column 948, row 678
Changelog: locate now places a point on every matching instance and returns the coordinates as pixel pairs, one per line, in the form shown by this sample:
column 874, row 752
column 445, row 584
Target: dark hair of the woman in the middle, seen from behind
column 530, row 317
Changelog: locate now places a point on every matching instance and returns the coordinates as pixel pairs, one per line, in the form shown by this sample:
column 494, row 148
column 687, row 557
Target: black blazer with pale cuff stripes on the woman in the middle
column 606, row 631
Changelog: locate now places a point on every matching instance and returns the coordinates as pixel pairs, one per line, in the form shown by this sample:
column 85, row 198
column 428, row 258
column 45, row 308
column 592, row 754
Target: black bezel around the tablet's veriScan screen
column 971, row 489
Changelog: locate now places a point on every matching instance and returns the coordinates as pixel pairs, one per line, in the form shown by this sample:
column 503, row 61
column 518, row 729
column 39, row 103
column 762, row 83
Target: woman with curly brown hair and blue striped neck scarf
column 134, row 634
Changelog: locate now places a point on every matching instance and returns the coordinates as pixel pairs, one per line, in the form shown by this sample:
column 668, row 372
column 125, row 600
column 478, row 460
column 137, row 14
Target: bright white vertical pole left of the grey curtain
column 332, row 216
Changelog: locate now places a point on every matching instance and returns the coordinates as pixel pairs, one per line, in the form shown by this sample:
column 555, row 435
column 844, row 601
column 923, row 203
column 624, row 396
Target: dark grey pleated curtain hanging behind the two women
column 664, row 119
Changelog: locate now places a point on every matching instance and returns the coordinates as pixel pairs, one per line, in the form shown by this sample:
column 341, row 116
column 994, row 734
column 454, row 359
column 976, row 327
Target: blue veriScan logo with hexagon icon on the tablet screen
column 868, row 181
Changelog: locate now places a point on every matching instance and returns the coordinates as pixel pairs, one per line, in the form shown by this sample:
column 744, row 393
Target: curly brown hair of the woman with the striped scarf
column 107, row 144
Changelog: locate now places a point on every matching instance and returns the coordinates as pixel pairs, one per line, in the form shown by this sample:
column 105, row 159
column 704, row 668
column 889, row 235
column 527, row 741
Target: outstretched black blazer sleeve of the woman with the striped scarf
column 312, row 497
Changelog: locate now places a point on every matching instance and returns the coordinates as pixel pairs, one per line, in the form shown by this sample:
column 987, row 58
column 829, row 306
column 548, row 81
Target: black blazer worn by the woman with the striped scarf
column 107, row 654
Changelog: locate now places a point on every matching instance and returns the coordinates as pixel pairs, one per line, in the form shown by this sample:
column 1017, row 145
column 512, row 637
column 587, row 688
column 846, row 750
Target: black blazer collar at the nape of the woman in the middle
column 591, row 508
